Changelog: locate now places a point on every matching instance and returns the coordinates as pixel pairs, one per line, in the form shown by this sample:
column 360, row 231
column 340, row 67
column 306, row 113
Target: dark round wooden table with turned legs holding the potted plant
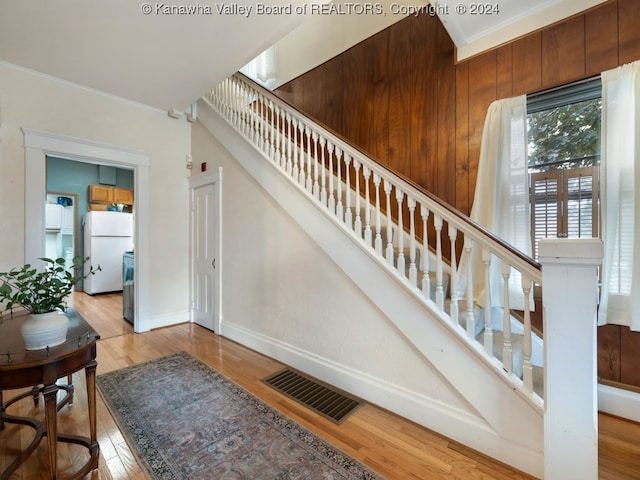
column 39, row 370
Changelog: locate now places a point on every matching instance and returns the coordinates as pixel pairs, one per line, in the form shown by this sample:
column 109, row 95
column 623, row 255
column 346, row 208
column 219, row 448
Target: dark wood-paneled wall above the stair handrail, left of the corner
column 390, row 95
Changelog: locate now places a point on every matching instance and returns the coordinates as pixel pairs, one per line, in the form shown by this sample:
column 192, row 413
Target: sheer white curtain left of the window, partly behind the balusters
column 501, row 199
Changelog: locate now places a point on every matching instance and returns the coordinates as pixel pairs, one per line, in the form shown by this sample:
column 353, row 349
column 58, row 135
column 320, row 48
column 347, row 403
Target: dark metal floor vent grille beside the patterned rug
column 324, row 399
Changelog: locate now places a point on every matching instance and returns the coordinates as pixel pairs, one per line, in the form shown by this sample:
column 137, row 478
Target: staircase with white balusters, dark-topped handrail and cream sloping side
column 435, row 265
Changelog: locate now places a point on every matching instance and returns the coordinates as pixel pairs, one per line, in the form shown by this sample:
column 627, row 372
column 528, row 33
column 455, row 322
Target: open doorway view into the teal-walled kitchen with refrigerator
column 75, row 188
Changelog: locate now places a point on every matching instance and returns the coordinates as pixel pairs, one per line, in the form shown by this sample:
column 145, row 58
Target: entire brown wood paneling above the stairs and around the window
column 400, row 96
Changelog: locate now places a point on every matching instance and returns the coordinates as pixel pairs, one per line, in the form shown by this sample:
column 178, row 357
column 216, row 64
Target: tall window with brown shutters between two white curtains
column 564, row 157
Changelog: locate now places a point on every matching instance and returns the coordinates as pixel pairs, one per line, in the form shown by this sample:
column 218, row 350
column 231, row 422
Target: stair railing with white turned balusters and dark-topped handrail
column 406, row 227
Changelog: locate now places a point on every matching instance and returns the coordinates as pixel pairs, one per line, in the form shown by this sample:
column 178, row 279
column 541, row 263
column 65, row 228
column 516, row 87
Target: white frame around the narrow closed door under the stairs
column 213, row 177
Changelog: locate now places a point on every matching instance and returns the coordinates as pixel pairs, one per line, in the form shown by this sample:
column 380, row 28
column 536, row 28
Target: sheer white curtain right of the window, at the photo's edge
column 620, row 193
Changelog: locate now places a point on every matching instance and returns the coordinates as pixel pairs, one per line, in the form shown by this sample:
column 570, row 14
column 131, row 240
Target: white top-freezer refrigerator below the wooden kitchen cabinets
column 107, row 235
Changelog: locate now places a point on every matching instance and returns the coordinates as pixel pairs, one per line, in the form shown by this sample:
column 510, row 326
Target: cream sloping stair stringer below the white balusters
column 508, row 425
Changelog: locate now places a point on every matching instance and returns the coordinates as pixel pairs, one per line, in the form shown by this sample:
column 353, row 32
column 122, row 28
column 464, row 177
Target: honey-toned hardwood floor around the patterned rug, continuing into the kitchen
column 394, row 447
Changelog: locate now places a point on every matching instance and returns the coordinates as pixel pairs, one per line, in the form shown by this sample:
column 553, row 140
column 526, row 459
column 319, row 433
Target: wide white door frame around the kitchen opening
column 38, row 145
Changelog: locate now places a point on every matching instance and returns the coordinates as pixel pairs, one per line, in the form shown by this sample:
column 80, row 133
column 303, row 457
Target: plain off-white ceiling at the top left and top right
column 168, row 60
